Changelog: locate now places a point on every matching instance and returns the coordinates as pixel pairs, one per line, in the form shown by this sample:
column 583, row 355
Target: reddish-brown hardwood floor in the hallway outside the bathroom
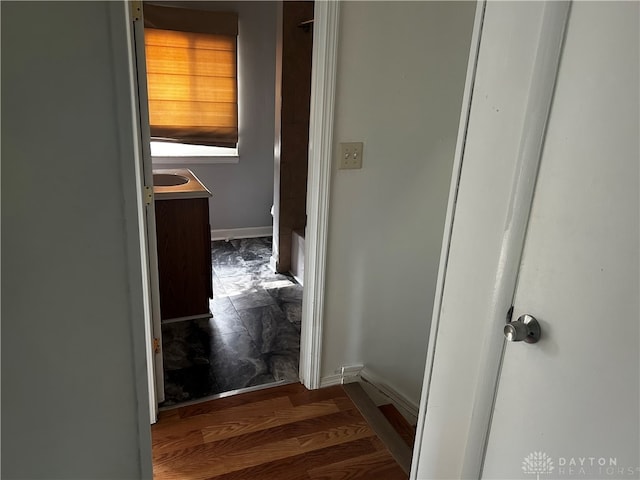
column 281, row 433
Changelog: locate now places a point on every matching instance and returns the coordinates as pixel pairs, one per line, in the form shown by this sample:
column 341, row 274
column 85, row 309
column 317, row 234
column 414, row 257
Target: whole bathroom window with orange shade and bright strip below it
column 192, row 81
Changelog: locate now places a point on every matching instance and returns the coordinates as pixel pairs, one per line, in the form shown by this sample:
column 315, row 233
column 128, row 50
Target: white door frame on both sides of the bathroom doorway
column 323, row 80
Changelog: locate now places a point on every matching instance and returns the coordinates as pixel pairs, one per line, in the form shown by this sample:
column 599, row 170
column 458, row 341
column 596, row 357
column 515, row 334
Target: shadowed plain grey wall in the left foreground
column 74, row 400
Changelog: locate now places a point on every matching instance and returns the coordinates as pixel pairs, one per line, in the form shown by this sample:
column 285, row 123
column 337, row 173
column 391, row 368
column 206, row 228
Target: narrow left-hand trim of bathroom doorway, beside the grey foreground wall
column 121, row 26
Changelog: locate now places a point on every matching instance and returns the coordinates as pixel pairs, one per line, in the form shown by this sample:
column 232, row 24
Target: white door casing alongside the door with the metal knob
column 452, row 435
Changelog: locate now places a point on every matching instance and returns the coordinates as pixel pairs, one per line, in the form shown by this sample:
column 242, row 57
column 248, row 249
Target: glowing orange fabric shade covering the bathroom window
column 192, row 85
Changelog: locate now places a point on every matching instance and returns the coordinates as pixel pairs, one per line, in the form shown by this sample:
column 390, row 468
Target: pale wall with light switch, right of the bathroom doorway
column 401, row 75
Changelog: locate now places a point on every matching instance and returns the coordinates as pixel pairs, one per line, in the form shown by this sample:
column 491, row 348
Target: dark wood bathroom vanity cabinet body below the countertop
column 184, row 257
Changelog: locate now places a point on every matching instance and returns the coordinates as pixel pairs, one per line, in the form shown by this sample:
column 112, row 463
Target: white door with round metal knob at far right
column 568, row 406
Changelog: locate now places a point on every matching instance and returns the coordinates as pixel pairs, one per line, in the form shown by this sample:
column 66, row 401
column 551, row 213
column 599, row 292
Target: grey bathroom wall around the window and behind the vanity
column 243, row 192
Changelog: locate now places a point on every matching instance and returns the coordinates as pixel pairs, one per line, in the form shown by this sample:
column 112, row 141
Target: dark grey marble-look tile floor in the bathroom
column 254, row 335
